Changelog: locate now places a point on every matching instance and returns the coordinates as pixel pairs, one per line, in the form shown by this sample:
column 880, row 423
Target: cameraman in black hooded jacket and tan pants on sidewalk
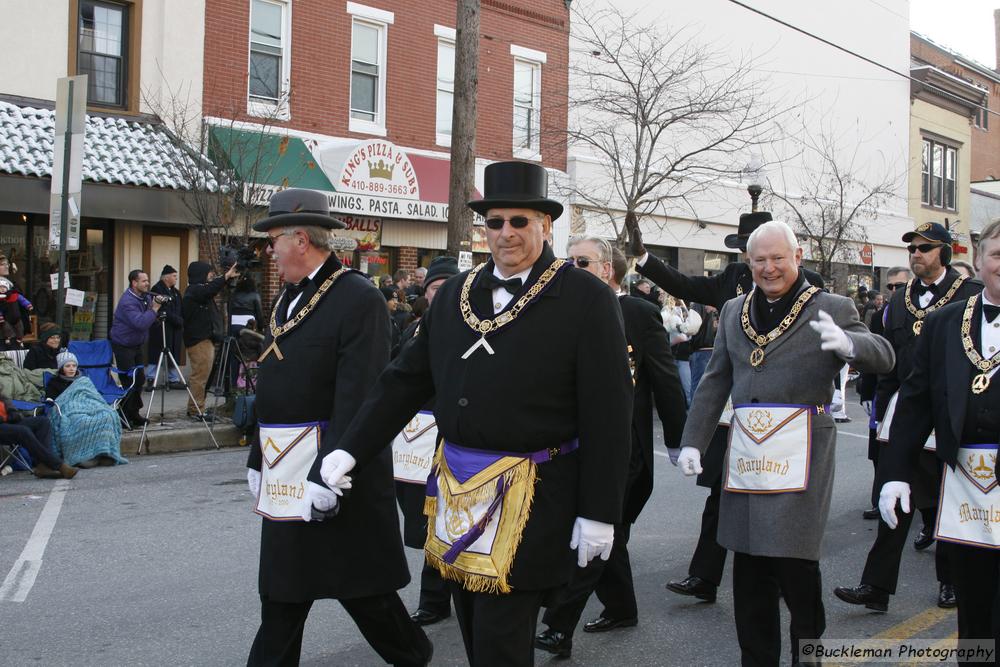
column 203, row 326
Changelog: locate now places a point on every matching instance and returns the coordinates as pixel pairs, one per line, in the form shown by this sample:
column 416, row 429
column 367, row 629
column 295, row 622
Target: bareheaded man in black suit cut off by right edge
column 953, row 389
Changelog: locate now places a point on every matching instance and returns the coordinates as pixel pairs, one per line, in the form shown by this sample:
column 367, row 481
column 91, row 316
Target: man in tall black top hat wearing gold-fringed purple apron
column 526, row 358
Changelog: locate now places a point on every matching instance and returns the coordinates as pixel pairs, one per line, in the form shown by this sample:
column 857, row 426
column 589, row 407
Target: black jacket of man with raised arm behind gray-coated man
column 715, row 290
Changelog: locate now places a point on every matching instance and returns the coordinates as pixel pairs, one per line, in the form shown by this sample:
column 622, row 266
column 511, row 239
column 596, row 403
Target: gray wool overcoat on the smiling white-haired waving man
column 796, row 371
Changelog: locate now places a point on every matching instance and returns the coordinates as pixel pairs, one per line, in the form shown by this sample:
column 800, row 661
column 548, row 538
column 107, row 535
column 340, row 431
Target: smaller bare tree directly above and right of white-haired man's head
column 834, row 196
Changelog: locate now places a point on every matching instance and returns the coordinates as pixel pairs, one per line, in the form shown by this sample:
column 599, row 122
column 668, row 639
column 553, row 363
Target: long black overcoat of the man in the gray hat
column 330, row 362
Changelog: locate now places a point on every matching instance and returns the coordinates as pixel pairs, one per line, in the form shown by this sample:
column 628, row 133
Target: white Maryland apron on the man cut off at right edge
column 969, row 505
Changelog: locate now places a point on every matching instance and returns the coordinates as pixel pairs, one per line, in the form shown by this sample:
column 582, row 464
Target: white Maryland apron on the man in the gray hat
column 288, row 452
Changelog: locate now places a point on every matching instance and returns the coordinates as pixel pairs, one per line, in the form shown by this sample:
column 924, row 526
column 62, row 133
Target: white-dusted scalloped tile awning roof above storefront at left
column 116, row 150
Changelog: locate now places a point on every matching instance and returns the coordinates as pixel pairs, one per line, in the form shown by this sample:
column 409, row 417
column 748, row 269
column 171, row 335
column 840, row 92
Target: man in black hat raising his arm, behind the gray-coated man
column 709, row 559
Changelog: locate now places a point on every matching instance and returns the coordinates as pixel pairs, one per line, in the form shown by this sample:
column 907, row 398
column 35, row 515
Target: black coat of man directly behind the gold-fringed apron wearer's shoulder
column 657, row 383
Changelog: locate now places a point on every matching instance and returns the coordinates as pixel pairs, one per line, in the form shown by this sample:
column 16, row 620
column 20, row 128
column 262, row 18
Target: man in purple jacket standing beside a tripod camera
column 135, row 315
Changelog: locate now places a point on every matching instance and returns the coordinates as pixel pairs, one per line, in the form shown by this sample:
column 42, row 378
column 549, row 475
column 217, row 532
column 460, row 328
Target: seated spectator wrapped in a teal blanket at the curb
column 85, row 429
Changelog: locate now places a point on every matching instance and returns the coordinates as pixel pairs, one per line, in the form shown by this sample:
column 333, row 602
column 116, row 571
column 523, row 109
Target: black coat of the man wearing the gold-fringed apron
column 560, row 371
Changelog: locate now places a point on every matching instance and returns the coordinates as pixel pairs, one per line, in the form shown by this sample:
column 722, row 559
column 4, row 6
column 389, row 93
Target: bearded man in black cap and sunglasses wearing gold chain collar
column 934, row 286
